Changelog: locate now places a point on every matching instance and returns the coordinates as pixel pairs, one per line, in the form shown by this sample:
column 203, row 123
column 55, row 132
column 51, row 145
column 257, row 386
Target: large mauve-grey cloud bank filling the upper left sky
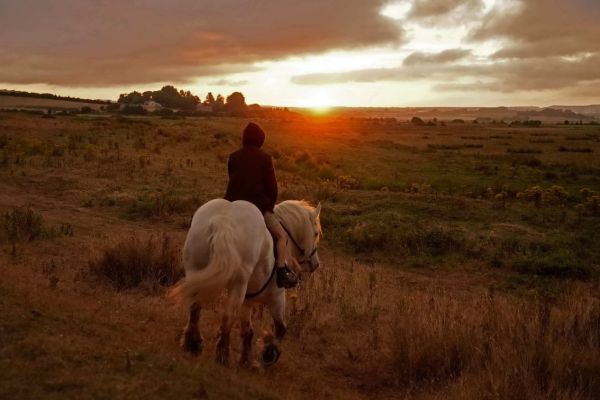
column 101, row 42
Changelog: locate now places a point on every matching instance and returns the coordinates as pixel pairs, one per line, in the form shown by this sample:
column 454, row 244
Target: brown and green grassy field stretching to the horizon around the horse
column 459, row 261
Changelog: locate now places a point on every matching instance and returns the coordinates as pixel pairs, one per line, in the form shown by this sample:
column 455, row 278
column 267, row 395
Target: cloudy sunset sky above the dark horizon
column 309, row 53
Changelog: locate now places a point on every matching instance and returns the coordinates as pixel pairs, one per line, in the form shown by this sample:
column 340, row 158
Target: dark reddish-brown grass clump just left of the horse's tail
column 132, row 262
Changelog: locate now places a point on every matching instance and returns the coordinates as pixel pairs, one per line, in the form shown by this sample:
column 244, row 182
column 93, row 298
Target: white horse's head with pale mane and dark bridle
column 303, row 227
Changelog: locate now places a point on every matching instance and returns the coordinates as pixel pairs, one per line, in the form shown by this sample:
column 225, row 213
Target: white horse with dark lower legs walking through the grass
column 229, row 247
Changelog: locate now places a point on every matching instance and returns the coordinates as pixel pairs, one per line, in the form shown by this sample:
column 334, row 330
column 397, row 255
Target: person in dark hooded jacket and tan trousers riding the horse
column 252, row 178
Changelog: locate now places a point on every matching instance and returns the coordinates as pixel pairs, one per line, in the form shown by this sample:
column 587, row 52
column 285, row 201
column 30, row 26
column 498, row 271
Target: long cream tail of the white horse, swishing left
column 224, row 264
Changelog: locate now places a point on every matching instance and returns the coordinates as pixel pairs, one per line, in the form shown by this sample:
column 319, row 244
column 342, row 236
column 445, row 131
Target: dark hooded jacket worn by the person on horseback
column 251, row 172
